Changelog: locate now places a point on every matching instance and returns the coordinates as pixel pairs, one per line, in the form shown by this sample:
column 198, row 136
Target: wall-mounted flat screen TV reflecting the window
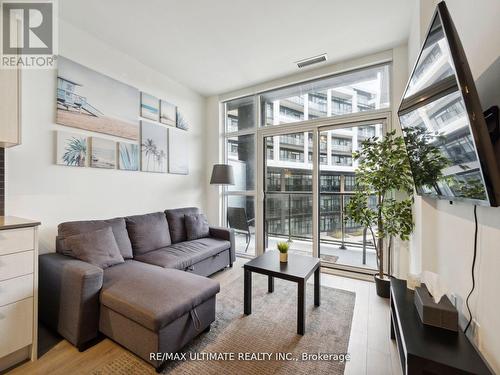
column 449, row 148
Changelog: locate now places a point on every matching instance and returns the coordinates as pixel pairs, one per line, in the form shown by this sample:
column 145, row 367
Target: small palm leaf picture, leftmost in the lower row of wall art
column 71, row 149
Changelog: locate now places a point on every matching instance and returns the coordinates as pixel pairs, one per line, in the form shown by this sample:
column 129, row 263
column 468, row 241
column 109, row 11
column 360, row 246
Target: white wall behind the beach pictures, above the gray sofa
column 39, row 189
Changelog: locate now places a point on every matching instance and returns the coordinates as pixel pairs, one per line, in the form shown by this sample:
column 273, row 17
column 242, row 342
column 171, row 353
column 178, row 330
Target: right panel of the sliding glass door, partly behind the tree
column 341, row 241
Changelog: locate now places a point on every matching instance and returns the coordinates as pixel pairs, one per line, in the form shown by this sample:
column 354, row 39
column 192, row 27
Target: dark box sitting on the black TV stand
column 442, row 314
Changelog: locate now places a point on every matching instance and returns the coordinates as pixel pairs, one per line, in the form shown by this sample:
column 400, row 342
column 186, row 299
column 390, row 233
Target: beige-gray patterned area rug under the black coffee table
column 271, row 328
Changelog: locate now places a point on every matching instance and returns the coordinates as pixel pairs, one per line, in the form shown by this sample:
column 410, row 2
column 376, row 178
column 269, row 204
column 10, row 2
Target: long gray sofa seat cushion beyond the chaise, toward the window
column 185, row 254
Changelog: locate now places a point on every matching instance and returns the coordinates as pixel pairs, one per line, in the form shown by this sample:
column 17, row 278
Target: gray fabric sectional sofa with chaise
column 156, row 300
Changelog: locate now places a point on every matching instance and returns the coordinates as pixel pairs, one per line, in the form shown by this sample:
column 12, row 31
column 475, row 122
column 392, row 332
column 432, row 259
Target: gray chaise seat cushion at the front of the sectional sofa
column 153, row 296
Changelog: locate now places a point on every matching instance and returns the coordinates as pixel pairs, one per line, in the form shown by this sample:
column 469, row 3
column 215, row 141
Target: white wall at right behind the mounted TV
column 447, row 231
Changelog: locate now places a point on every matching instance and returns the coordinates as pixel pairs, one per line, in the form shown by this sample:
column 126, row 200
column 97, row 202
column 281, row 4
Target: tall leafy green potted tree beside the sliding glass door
column 383, row 170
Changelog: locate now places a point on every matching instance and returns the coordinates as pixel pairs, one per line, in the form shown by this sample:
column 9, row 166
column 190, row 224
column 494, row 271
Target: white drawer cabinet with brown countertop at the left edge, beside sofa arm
column 18, row 290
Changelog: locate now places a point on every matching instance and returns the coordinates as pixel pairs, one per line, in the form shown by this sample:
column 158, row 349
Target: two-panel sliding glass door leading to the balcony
column 293, row 167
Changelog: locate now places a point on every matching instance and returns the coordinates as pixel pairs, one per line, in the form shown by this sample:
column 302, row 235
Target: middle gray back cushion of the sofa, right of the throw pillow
column 148, row 232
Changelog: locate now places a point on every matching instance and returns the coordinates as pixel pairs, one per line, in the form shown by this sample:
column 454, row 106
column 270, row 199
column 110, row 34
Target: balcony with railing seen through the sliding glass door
column 288, row 217
